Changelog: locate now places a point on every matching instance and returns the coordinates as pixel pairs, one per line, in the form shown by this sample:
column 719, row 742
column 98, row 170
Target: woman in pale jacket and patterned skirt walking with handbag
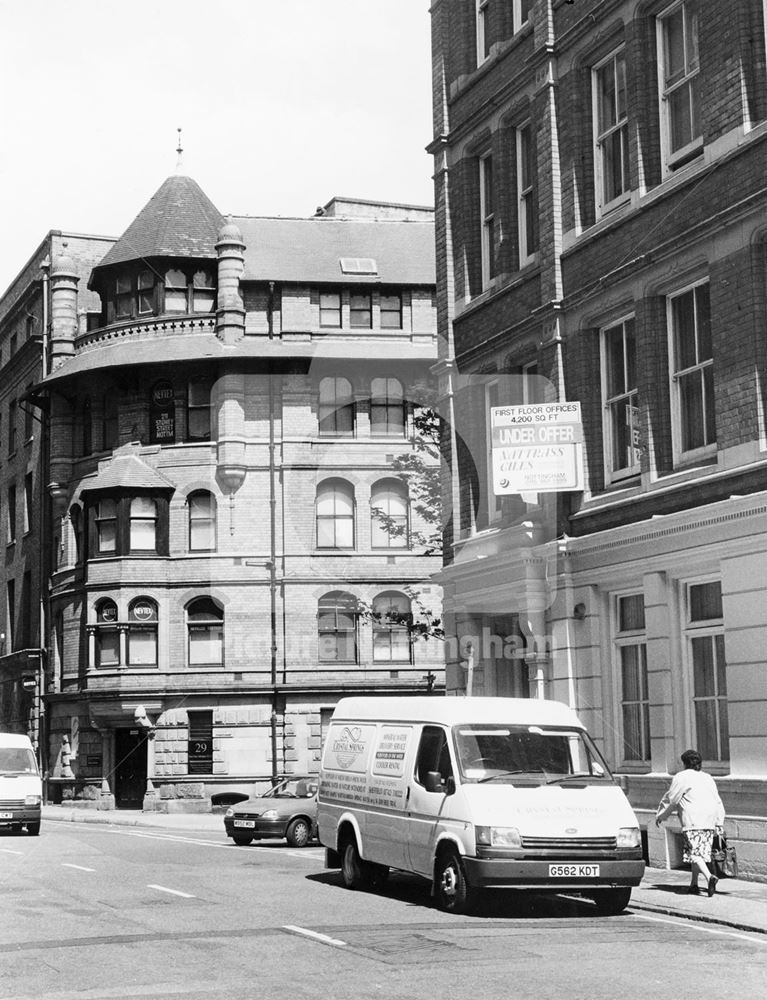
column 694, row 797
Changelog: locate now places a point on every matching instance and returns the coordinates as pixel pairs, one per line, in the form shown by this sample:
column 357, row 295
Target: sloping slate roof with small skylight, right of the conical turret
column 308, row 251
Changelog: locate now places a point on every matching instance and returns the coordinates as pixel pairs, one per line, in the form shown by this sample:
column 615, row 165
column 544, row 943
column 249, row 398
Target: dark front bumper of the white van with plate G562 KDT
column 507, row 873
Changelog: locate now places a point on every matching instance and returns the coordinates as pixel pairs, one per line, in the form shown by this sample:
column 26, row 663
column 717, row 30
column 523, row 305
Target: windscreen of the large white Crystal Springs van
column 529, row 755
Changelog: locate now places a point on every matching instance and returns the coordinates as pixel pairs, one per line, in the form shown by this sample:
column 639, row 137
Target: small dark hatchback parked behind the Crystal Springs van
column 288, row 810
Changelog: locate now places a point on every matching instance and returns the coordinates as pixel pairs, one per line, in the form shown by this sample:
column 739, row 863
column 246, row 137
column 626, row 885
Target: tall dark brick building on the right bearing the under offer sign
column 601, row 222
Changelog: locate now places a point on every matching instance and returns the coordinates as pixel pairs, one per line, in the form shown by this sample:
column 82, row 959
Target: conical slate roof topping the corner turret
column 178, row 221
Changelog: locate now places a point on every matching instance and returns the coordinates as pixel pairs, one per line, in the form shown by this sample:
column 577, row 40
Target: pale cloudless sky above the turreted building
column 282, row 104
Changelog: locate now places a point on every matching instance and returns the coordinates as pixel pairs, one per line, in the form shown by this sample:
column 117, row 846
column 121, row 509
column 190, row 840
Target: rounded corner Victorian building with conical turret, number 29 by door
column 225, row 401
